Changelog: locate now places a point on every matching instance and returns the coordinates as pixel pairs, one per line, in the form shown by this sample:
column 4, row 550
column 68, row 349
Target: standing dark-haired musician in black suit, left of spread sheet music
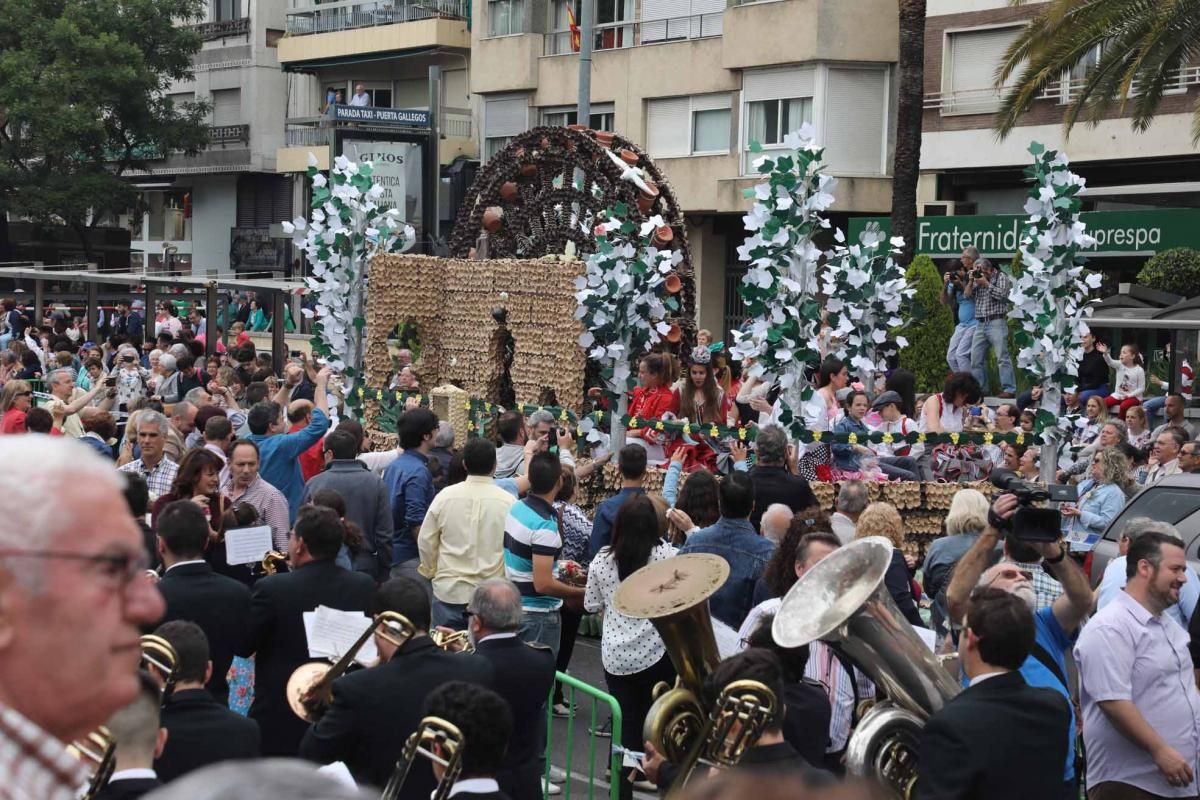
column 277, row 621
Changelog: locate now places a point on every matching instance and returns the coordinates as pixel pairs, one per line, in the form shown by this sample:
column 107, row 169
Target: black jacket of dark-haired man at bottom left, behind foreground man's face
column 202, row 732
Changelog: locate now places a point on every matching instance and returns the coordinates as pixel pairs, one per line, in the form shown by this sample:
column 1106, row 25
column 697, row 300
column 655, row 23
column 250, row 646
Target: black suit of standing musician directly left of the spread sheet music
column 278, row 639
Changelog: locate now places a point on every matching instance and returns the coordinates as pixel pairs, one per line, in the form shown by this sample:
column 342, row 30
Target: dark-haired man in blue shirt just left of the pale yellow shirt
column 411, row 486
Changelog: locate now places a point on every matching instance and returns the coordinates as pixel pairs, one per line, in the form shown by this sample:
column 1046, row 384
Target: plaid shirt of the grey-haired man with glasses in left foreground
column 35, row 766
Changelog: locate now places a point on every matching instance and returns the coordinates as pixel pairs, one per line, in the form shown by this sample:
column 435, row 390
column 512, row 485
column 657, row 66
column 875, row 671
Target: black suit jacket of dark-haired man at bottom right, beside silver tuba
column 999, row 739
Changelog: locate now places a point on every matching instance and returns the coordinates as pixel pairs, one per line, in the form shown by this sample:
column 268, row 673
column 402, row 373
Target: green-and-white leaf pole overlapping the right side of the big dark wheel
column 626, row 298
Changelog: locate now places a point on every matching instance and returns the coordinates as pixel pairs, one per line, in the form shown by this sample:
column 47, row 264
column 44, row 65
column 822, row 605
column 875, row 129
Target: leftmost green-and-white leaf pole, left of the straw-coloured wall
column 345, row 230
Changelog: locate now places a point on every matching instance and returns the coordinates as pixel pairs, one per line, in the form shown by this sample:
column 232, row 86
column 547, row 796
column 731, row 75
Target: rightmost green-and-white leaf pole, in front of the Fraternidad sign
column 1052, row 297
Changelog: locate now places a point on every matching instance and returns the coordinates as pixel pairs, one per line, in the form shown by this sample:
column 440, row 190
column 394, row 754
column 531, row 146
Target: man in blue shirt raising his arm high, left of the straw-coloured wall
column 279, row 452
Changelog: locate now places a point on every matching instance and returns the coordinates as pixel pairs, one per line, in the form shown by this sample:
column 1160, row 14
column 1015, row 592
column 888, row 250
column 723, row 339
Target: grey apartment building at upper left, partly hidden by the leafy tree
column 211, row 214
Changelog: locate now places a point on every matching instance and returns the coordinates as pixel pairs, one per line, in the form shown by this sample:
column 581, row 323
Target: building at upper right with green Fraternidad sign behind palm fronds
column 1142, row 188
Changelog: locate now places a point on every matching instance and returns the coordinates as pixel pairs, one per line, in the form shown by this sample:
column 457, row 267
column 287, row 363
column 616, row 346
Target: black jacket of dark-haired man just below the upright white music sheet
column 215, row 603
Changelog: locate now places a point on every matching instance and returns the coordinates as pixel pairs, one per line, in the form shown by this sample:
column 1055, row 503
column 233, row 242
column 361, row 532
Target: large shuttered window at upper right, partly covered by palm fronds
column 969, row 70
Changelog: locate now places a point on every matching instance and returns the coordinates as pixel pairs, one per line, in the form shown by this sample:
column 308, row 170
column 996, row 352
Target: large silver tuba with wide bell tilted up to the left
column 844, row 603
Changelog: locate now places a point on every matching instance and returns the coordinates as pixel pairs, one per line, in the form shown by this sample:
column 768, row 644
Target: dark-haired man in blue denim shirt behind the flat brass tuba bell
column 735, row 539
